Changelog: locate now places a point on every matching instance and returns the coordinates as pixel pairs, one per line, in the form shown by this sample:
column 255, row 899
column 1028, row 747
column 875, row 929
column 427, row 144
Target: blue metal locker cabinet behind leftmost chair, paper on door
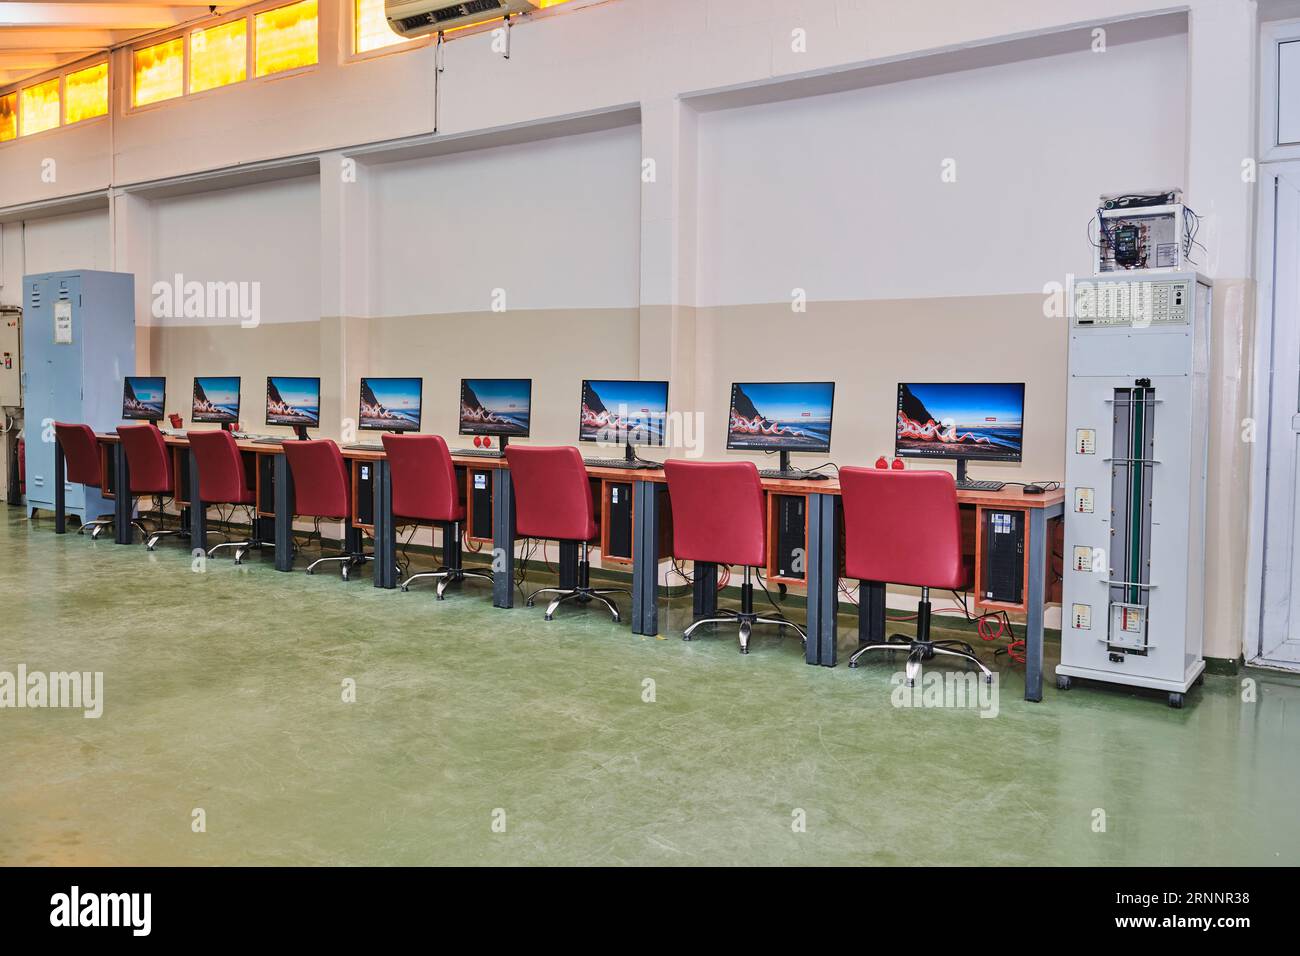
column 77, row 347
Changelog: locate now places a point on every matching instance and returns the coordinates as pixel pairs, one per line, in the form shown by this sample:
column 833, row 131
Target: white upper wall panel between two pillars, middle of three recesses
column 556, row 224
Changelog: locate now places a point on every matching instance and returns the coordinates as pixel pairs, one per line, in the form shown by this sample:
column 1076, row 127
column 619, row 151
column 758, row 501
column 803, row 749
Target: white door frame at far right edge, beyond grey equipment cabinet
column 1262, row 400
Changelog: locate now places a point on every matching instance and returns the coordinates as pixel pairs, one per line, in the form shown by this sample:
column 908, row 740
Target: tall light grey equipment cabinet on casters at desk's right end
column 1138, row 406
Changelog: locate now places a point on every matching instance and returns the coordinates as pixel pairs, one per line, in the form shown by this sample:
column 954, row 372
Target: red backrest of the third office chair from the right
column 553, row 494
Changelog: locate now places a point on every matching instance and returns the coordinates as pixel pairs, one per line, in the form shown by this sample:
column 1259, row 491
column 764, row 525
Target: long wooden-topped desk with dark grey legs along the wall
column 649, row 520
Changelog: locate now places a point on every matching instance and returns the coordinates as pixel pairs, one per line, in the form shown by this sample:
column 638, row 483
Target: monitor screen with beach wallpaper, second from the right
column 781, row 417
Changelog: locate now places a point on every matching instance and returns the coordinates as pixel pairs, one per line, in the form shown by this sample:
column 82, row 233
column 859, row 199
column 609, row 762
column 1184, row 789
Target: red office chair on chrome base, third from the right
column 553, row 500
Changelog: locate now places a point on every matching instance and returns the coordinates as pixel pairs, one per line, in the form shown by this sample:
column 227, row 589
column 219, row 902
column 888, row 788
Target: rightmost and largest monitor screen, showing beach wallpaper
column 974, row 421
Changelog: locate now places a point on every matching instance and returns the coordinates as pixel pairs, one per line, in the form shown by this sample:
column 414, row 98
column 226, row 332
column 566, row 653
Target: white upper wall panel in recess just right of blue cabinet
column 267, row 233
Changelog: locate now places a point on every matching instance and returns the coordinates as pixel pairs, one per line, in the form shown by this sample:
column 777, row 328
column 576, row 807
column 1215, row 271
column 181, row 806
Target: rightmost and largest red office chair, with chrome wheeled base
column 904, row 527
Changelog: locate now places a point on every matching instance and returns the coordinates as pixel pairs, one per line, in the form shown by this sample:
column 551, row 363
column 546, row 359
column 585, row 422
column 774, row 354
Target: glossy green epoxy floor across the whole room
column 223, row 691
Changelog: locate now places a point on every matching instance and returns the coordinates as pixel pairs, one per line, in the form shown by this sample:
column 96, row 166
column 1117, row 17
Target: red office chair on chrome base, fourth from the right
column 426, row 490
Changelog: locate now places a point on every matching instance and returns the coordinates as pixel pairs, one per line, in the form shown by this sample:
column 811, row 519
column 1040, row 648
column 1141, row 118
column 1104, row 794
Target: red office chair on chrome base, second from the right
column 718, row 518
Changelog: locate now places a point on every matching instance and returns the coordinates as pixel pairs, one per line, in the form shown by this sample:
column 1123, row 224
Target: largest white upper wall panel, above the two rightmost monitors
column 842, row 194
